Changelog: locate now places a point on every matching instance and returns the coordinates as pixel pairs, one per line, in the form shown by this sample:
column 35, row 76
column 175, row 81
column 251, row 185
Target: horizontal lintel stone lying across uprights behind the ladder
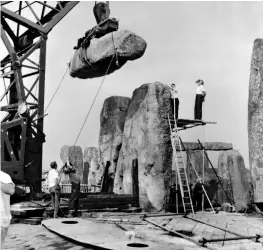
column 216, row 146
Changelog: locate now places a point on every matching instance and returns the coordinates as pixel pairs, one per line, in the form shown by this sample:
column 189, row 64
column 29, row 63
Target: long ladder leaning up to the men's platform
column 181, row 169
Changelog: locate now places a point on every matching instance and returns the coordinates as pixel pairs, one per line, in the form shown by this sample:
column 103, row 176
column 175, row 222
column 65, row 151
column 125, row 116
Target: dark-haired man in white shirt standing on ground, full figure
column 54, row 188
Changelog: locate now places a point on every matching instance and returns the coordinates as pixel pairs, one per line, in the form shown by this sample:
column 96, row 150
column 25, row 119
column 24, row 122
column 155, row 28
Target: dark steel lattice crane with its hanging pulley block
column 23, row 77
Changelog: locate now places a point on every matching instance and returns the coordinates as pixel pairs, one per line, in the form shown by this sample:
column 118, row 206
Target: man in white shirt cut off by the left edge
column 7, row 189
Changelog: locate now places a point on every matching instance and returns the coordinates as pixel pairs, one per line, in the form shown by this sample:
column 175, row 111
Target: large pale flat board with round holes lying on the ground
column 107, row 236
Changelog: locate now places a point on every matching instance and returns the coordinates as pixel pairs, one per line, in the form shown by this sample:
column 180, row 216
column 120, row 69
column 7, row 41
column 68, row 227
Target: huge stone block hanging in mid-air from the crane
column 95, row 60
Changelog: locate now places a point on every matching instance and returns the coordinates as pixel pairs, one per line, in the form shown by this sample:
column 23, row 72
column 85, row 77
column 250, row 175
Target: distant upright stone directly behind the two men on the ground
column 75, row 156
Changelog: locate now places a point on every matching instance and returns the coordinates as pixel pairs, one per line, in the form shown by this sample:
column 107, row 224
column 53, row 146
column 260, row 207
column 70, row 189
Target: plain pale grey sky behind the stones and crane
column 186, row 41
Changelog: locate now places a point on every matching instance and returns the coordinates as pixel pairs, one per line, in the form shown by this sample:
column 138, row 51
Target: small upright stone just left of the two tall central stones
column 92, row 162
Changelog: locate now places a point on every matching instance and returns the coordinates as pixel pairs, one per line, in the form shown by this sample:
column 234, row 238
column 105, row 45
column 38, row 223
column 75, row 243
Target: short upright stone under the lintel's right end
column 236, row 179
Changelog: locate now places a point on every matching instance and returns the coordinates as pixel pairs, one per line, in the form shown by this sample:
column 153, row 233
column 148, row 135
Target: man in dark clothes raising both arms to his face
column 75, row 188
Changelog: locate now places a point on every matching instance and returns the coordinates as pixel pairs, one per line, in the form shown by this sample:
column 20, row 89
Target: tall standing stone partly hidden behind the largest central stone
column 112, row 120
